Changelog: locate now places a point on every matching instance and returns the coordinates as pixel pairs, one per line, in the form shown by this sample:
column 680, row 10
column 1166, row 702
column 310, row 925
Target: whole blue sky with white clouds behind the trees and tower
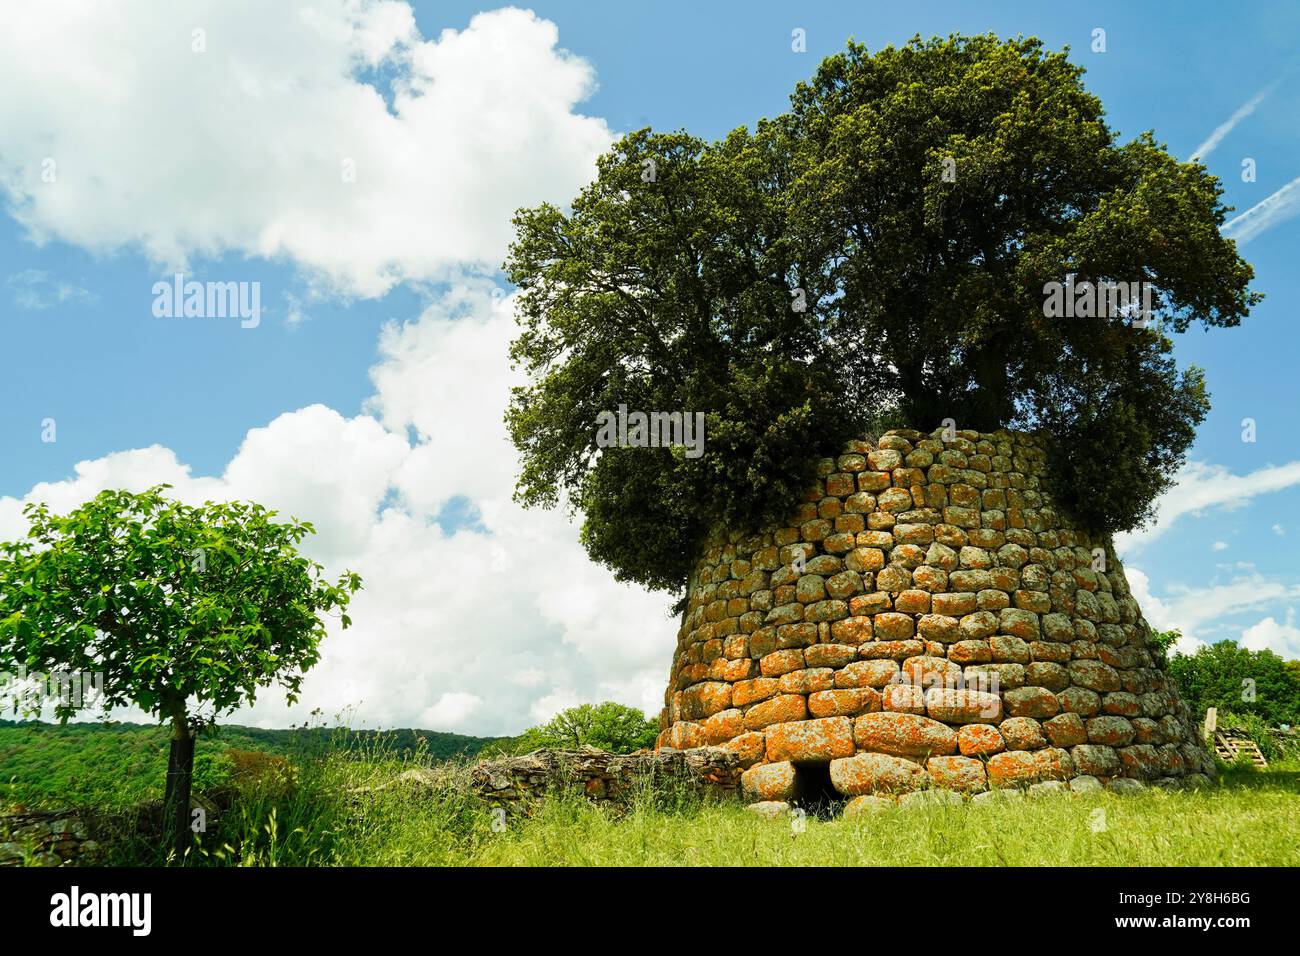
column 222, row 162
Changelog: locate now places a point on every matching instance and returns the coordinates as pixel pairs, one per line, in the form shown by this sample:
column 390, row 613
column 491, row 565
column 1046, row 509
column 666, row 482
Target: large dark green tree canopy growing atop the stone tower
column 879, row 254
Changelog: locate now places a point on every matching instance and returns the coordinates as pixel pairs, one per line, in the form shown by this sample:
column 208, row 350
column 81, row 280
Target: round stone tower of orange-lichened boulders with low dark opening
column 929, row 621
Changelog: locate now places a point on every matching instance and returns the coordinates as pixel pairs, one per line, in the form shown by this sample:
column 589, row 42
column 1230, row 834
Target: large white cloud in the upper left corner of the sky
column 244, row 149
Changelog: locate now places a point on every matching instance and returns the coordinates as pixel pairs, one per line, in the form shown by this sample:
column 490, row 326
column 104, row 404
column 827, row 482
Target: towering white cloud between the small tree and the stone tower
column 476, row 631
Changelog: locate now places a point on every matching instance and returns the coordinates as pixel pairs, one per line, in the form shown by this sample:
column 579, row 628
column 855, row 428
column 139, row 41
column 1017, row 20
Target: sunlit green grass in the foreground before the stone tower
column 1249, row 820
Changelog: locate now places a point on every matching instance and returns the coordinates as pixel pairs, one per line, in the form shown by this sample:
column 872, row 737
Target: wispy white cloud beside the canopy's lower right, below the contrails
column 1201, row 487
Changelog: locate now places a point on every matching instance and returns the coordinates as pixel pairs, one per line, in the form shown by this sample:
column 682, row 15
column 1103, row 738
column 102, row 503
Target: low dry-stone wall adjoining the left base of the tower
column 709, row 772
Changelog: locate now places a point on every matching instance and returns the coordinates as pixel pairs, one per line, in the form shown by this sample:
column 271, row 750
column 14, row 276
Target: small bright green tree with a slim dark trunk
column 184, row 611
